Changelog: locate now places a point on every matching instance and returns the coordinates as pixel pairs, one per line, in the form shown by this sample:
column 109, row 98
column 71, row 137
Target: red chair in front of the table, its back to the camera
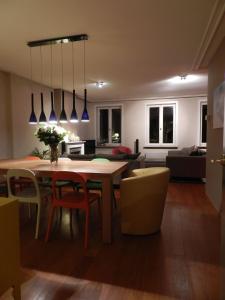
column 71, row 199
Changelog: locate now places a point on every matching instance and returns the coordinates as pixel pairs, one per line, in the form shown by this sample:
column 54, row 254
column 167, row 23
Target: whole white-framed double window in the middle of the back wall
column 161, row 125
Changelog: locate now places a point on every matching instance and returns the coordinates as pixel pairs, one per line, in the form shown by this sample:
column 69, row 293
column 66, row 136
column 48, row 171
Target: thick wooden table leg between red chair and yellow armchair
column 107, row 210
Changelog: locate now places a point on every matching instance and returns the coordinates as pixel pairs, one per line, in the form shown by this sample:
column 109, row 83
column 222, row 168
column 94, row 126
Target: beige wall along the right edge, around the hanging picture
column 215, row 136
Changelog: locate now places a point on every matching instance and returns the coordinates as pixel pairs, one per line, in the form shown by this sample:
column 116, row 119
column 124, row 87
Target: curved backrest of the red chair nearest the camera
column 68, row 176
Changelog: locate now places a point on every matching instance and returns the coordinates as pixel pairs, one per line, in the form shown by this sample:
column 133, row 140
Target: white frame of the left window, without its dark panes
column 109, row 107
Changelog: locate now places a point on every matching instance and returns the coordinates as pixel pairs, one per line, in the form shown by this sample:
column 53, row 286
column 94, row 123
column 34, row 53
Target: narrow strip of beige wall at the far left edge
column 5, row 116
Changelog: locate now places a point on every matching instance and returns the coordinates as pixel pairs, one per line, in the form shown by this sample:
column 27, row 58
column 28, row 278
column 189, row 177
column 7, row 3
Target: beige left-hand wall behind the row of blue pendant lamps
column 17, row 136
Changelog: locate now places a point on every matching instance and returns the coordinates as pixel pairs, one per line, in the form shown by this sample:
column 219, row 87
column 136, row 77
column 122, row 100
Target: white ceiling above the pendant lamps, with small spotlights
column 135, row 46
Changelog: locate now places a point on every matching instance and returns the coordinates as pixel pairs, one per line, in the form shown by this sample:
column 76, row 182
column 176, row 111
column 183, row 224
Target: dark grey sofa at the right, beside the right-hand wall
column 187, row 163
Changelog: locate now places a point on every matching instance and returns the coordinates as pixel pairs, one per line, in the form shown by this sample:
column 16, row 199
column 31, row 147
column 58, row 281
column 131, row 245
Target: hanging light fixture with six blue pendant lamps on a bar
column 63, row 117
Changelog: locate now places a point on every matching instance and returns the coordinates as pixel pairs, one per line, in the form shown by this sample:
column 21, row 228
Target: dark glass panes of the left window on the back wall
column 109, row 125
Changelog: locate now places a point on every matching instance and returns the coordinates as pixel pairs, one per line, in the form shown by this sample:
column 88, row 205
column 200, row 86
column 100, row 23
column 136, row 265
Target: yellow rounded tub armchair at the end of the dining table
column 143, row 199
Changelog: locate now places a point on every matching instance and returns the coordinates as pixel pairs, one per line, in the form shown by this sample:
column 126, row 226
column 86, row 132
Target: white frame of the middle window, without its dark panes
column 161, row 105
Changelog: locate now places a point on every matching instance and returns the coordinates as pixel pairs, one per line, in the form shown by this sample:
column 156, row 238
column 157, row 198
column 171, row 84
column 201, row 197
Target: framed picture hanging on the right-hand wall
column 218, row 106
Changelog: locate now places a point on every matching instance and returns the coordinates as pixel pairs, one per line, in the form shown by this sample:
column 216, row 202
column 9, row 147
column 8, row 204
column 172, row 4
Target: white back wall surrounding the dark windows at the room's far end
column 134, row 122
